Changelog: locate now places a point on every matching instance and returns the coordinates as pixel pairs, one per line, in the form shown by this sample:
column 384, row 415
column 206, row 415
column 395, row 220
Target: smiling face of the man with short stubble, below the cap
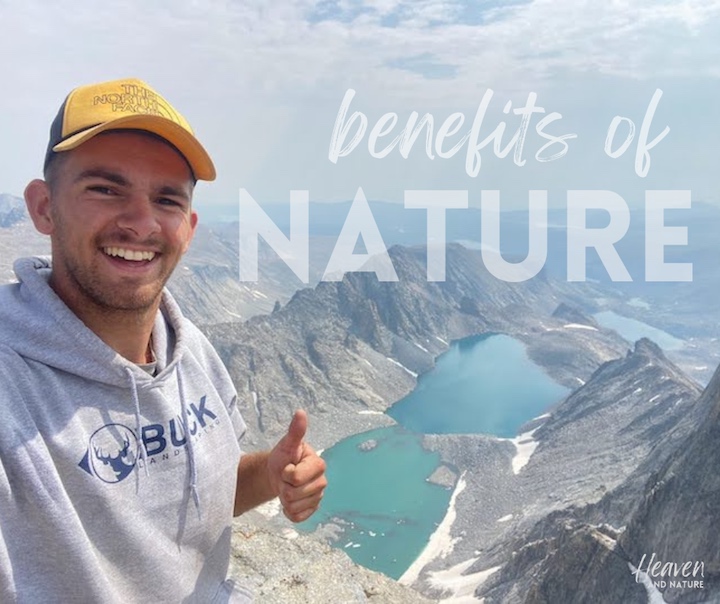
column 120, row 219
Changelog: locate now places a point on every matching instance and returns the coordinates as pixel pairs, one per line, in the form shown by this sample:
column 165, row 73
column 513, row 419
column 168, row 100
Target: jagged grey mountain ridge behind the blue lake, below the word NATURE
column 347, row 350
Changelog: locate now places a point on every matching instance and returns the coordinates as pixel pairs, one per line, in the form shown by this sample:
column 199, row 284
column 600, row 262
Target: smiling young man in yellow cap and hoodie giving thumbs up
column 120, row 468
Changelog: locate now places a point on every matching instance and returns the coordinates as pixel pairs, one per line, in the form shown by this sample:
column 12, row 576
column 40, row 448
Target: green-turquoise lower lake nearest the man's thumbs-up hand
column 380, row 498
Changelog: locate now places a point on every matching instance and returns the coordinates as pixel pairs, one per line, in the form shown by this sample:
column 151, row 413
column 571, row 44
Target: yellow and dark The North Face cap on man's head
column 128, row 104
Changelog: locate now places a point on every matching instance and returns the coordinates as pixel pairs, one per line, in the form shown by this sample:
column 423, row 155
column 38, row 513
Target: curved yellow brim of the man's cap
column 195, row 154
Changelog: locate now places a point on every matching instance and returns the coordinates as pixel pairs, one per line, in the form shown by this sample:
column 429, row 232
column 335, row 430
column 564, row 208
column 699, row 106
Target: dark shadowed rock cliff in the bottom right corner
column 668, row 513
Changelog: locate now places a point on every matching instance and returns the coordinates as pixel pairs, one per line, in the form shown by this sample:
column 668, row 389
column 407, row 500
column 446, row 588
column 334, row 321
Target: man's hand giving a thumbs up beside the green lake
column 296, row 472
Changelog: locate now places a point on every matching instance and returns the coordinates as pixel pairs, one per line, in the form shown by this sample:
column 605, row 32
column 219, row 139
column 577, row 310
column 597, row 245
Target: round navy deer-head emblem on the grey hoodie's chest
column 112, row 453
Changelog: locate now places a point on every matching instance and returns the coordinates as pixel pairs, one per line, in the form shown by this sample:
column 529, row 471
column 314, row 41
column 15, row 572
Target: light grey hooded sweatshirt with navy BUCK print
column 115, row 486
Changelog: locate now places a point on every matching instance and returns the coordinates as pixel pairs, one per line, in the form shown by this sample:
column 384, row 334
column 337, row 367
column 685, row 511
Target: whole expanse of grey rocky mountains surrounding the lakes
column 624, row 468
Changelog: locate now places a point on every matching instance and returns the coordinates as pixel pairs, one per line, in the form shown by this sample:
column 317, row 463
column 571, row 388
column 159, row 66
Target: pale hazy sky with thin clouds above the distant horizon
column 263, row 84
